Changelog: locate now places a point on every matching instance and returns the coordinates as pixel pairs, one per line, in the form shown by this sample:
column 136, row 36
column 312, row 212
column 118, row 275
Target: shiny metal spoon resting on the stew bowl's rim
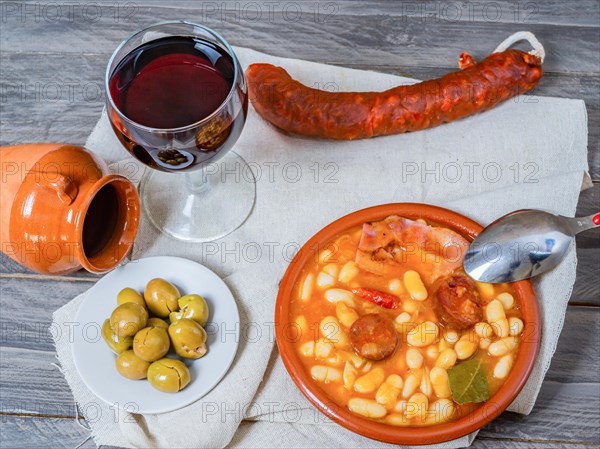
column 523, row 244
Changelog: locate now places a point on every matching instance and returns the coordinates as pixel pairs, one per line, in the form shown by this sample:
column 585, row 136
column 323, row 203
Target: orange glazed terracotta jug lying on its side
column 61, row 209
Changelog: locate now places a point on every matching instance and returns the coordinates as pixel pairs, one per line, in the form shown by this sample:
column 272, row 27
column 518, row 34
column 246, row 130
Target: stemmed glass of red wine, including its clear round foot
column 177, row 101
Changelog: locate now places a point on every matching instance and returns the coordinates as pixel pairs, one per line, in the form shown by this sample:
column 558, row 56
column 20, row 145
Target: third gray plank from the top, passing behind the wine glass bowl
column 58, row 102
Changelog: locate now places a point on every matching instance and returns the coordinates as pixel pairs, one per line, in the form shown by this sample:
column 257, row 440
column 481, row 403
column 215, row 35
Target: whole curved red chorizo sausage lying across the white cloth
column 296, row 108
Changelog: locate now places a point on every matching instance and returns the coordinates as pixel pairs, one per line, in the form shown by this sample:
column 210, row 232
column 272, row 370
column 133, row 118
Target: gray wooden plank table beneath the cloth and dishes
column 52, row 61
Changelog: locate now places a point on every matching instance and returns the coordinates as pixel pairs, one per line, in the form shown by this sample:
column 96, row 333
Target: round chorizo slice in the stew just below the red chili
column 373, row 336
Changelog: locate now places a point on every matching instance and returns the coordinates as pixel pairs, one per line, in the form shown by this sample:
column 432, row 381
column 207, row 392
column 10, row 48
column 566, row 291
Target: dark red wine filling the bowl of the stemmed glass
column 172, row 83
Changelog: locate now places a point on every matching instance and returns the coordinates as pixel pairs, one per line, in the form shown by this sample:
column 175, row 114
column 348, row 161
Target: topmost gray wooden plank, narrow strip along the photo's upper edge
column 552, row 12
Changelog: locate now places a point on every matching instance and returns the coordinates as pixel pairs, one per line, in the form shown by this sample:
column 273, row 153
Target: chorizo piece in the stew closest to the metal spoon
column 457, row 302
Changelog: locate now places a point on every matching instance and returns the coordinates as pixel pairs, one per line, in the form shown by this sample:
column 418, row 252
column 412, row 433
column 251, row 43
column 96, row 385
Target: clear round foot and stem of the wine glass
column 201, row 206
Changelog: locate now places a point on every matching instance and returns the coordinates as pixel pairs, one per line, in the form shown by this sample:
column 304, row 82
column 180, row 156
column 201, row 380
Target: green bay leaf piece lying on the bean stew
column 468, row 382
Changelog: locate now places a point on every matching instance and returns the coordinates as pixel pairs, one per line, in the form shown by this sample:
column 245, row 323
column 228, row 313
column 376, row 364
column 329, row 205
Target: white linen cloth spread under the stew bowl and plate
column 529, row 152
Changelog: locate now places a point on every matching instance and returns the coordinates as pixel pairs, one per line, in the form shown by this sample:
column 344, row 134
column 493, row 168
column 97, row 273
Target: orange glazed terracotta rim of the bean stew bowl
column 439, row 433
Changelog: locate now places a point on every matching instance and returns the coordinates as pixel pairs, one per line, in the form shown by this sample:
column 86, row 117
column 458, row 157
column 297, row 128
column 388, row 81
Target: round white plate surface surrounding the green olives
column 95, row 362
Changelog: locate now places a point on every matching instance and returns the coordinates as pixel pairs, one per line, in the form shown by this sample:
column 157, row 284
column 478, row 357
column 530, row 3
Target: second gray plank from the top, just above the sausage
column 377, row 39
